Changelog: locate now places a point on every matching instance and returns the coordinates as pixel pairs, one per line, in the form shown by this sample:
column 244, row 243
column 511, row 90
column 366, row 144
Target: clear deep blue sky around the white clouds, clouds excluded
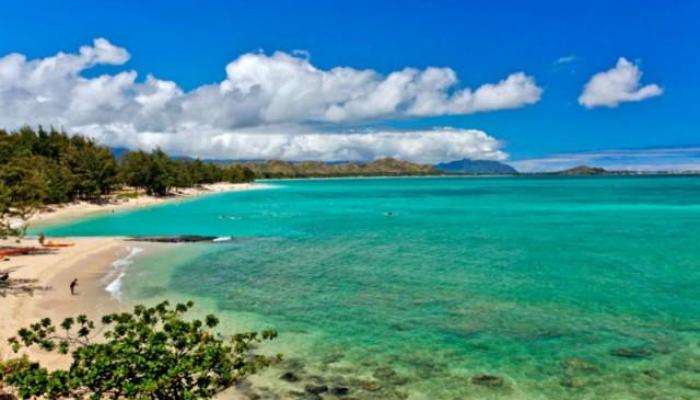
column 482, row 42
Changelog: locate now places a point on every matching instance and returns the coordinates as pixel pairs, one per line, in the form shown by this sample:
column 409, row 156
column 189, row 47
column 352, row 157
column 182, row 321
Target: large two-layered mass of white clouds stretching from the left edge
column 266, row 107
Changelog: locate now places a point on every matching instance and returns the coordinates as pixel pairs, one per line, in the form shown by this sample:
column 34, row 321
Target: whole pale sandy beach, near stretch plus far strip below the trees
column 40, row 283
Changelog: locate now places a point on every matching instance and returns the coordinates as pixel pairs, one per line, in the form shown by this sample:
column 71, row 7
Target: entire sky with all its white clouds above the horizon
column 541, row 84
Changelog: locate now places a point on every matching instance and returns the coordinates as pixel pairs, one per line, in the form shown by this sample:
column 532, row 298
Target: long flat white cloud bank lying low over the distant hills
column 291, row 142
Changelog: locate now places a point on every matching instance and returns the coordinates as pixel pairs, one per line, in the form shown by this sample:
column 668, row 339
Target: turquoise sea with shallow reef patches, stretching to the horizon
column 567, row 288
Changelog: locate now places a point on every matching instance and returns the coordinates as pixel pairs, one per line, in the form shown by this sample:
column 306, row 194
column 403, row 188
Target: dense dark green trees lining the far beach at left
column 39, row 166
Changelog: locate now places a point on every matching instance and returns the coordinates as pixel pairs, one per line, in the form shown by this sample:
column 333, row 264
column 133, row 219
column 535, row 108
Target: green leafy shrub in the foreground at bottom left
column 152, row 353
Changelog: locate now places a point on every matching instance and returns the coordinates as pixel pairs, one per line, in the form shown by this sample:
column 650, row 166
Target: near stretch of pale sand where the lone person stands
column 40, row 288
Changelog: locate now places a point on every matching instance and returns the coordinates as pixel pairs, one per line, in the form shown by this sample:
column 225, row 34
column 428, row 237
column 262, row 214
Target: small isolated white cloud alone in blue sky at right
column 617, row 85
